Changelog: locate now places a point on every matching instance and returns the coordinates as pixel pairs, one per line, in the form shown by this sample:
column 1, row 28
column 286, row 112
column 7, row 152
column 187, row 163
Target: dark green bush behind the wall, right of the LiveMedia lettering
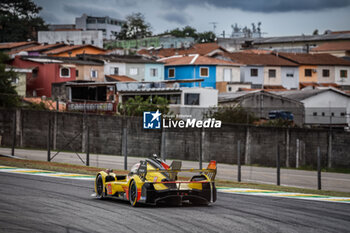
column 231, row 115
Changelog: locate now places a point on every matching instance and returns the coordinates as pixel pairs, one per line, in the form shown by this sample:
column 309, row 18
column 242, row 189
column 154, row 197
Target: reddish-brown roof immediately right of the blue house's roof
column 258, row 59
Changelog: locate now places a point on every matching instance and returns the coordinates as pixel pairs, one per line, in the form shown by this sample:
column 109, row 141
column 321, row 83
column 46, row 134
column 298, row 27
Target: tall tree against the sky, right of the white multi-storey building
column 135, row 27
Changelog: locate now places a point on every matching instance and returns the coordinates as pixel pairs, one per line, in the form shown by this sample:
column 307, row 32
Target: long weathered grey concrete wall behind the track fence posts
column 258, row 144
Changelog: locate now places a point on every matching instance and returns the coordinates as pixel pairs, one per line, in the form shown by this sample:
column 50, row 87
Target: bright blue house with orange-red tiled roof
column 193, row 70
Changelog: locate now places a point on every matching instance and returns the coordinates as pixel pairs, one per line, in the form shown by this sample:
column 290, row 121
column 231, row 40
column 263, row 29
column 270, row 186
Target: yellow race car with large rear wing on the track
column 152, row 181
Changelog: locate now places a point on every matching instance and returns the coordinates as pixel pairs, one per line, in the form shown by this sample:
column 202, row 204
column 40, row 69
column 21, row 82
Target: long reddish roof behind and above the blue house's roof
column 201, row 49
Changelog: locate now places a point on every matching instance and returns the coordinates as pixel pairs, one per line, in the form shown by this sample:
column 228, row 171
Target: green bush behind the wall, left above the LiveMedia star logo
column 136, row 106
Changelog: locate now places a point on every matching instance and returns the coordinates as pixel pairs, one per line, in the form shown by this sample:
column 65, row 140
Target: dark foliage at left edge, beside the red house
column 8, row 94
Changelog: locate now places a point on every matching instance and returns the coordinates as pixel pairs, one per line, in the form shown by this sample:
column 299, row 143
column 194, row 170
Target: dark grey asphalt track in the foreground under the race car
column 43, row 204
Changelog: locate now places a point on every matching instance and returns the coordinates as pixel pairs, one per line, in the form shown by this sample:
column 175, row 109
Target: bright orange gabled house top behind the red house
column 74, row 50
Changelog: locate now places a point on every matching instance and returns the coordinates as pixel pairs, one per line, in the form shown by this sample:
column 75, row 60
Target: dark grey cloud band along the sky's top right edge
column 263, row 6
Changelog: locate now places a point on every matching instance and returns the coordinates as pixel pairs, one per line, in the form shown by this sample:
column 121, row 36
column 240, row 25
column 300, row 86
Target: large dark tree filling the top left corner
column 19, row 20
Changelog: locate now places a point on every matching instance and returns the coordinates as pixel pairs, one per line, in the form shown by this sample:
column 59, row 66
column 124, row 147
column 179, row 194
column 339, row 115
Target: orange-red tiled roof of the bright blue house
column 194, row 60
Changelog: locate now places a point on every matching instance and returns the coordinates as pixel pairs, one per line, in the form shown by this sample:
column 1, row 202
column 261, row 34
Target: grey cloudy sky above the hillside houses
column 278, row 17
